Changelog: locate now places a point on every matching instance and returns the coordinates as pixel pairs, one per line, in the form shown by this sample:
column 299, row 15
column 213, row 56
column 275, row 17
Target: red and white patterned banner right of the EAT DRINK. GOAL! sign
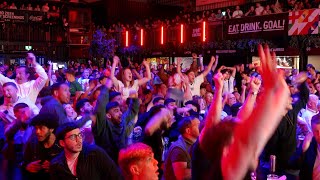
column 304, row 22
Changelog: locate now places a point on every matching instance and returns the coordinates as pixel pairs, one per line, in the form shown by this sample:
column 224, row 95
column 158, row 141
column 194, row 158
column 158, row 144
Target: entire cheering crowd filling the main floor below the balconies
column 134, row 122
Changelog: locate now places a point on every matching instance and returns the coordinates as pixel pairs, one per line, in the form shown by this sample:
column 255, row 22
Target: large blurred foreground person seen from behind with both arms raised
column 237, row 145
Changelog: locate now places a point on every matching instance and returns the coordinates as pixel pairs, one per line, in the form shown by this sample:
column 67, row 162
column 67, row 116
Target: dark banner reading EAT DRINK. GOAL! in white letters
column 267, row 26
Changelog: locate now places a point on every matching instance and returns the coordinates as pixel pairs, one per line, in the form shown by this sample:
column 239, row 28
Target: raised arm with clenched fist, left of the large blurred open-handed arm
column 214, row 113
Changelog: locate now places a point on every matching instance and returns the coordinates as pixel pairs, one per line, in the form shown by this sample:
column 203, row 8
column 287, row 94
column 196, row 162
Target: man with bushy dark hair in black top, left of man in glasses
column 42, row 148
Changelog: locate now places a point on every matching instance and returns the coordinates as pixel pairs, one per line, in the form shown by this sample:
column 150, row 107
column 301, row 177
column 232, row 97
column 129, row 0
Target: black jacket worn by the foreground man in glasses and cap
column 93, row 163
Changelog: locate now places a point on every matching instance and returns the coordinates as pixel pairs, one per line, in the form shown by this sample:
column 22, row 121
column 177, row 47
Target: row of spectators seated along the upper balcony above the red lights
column 263, row 8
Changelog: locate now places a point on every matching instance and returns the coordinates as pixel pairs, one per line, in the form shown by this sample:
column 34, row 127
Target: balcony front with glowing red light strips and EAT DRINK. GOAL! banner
column 261, row 27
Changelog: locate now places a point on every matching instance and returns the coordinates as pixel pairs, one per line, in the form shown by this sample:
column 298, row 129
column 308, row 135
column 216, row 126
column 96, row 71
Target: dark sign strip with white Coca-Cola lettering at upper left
column 20, row 16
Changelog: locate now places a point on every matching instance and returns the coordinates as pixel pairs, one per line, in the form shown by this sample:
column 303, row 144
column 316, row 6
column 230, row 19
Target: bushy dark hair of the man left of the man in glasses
column 45, row 119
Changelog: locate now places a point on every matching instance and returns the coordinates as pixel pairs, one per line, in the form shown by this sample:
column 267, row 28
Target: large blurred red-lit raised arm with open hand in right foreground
column 252, row 134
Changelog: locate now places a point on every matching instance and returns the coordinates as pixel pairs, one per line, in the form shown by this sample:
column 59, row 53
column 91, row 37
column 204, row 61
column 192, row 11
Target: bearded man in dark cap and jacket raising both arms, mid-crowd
column 111, row 128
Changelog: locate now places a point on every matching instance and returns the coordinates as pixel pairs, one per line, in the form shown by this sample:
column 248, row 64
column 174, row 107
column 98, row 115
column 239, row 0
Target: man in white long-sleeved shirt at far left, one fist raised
column 28, row 88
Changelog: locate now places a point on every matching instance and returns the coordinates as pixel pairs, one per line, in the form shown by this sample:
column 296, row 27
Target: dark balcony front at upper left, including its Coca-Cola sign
column 29, row 26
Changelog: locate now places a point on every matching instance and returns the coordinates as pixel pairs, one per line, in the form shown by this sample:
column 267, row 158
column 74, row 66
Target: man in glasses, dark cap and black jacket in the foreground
column 80, row 161
